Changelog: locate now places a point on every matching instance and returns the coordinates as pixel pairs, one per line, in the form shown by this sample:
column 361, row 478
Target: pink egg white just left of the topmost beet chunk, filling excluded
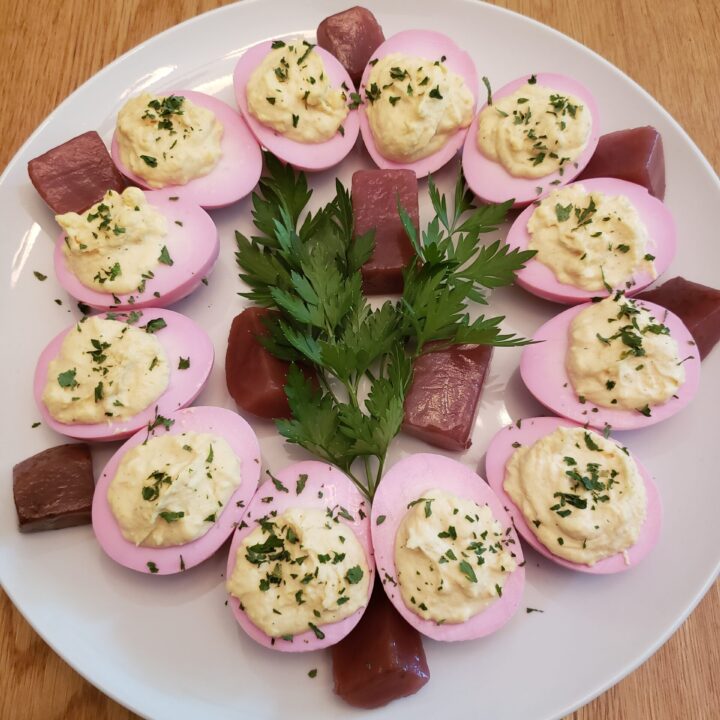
column 304, row 156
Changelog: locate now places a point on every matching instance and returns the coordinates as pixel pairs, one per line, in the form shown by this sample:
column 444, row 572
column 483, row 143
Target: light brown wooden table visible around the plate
column 49, row 47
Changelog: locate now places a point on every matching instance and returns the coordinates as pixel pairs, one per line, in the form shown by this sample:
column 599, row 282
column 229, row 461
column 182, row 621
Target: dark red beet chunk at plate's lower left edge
column 54, row 488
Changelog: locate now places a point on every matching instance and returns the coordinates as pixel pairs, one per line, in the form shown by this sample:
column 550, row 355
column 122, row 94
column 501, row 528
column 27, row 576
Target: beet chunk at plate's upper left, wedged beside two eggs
column 72, row 177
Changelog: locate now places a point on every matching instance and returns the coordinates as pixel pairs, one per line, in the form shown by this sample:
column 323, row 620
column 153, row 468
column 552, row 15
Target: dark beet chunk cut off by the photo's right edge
column 698, row 306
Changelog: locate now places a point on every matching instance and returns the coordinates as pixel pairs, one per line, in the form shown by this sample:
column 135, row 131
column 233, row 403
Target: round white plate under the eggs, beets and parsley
column 168, row 647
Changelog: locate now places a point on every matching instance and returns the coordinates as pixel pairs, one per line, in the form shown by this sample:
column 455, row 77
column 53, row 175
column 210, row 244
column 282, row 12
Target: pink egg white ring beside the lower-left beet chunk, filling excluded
column 177, row 558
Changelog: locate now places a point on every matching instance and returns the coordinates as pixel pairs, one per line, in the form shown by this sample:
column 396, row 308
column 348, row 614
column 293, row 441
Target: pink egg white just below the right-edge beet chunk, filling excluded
column 542, row 368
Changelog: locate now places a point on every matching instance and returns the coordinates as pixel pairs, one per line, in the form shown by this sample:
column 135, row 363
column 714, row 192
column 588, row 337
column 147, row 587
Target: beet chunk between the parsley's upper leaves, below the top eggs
column 375, row 196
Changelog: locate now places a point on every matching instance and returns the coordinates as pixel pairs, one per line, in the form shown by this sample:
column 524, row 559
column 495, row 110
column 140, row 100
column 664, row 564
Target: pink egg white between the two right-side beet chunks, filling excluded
column 540, row 280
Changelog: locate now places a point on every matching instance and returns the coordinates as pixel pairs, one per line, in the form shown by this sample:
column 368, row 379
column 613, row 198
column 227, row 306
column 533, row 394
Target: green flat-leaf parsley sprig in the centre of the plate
column 347, row 400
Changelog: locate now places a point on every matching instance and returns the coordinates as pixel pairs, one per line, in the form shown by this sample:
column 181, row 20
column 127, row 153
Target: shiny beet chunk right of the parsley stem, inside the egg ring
column 443, row 399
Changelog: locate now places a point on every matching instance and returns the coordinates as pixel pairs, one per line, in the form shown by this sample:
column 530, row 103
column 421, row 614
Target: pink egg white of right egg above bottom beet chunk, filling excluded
column 402, row 485
